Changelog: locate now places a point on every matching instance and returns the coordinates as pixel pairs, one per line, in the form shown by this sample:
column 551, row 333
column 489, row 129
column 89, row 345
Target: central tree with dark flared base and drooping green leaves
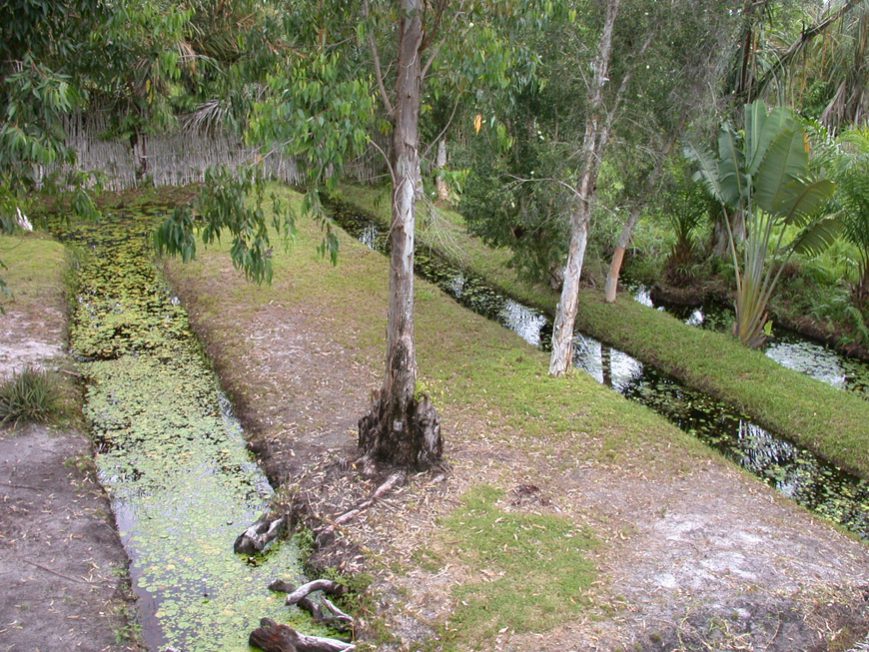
column 319, row 103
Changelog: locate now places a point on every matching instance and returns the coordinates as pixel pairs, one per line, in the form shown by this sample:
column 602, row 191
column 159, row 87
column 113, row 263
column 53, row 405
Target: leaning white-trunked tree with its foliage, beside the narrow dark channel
column 642, row 33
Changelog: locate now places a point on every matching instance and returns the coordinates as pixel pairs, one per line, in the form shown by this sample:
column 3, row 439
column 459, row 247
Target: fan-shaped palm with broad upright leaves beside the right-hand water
column 762, row 173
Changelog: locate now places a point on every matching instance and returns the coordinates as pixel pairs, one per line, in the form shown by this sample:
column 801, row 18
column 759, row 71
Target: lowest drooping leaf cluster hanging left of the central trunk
column 232, row 201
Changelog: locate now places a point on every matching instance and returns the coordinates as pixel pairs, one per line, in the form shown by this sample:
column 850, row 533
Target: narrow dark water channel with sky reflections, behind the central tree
column 794, row 471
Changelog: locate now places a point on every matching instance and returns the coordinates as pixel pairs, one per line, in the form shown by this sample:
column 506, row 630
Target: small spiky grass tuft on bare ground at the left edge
column 29, row 396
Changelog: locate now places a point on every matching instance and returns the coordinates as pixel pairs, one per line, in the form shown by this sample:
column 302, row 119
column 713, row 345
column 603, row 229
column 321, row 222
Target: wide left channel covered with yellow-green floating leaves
column 170, row 454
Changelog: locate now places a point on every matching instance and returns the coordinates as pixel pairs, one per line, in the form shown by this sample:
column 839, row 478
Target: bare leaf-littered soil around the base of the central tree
column 708, row 559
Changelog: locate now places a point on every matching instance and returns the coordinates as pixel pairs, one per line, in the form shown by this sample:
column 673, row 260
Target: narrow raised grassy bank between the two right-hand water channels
column 828, row 421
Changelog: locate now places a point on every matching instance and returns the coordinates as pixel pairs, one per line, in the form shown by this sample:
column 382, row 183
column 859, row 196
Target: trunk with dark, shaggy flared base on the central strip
column 400, row 429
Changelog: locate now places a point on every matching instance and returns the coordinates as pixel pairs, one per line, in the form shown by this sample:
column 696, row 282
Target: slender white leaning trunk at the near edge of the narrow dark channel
column 593, row 145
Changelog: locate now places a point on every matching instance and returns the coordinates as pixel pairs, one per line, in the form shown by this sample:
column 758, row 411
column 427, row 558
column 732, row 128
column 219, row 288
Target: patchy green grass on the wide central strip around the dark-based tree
column 488, row 384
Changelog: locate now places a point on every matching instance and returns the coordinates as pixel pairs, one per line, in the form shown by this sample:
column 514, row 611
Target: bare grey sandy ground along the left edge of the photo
column 62, row 566
